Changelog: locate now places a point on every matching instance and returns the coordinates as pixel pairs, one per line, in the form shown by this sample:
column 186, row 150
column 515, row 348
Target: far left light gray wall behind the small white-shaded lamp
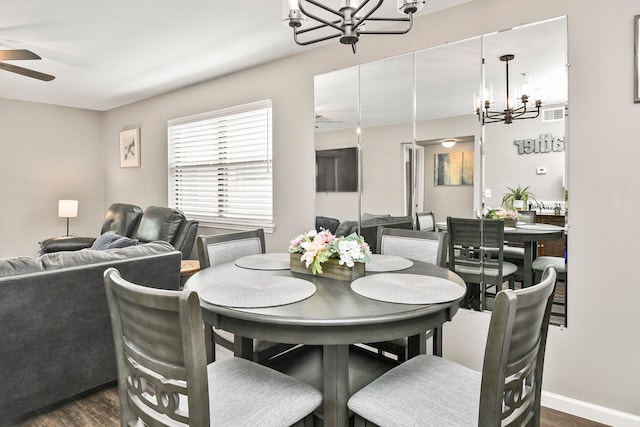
column 48, row 153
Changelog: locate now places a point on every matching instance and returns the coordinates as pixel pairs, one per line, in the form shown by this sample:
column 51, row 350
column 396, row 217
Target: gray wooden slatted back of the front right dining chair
column 514, row 355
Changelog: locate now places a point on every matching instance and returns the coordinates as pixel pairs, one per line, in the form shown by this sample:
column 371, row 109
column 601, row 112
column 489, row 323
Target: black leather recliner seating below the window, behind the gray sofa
column 155, row 223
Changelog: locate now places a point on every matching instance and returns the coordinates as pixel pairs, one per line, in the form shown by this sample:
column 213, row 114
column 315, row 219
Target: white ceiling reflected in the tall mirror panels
column 447, row 78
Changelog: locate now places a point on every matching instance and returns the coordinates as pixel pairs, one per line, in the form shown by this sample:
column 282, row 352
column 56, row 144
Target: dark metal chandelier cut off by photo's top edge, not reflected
column 347, row 22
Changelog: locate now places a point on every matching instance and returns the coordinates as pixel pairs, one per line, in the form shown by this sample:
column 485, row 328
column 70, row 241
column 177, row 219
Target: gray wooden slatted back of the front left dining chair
column 160, row 353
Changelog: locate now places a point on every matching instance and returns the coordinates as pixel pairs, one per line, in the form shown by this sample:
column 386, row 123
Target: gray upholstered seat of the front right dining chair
column 447, row 394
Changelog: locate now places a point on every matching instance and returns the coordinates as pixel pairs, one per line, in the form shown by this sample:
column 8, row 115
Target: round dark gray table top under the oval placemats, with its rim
column 334, row 314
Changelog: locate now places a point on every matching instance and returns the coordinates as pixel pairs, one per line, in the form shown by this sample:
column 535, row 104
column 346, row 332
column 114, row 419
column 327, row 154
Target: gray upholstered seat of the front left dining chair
column 243, row 393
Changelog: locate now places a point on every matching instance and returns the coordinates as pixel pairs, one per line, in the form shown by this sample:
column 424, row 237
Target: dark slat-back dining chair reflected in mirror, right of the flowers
column 476, row 250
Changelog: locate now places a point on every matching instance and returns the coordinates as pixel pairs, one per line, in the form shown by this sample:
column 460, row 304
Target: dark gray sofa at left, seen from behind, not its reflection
column 55, row 330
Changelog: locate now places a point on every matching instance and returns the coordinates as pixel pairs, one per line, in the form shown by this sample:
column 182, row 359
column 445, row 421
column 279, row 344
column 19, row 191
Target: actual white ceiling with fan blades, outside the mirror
column 105, row 54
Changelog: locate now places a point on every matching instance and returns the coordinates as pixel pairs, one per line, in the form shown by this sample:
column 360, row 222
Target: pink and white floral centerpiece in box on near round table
column 317, row 248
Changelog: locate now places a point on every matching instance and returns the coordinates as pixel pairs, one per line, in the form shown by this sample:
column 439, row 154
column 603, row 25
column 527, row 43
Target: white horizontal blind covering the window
column 220, row 167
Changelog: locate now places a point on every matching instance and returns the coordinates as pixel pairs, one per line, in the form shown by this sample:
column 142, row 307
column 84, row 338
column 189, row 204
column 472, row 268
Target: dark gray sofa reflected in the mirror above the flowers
column 368, row 229
